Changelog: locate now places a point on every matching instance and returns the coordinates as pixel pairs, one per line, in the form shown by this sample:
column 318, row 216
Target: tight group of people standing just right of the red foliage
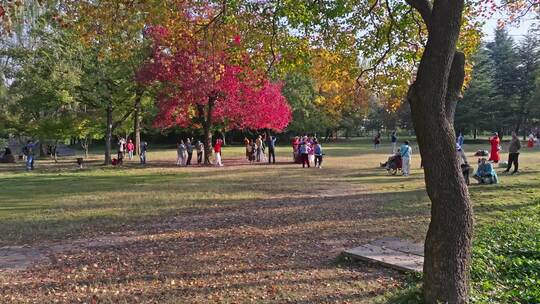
column 307, row 150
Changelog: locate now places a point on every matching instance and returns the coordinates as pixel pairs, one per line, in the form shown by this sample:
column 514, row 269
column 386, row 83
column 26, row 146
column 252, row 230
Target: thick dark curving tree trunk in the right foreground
column 433, row 98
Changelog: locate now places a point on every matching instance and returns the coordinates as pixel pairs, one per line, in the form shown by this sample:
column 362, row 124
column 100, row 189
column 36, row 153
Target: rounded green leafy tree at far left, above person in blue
column 42, row 100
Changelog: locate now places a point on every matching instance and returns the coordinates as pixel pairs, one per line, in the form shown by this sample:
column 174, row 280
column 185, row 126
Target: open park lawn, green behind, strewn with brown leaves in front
column 238, row 234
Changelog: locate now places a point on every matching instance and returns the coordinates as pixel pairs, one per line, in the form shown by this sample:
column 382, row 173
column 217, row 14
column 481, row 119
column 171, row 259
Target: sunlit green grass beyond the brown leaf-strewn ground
column 59, row 200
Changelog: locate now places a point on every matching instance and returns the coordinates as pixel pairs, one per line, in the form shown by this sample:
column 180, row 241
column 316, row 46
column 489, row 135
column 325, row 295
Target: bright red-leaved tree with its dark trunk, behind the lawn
column 200, row 86
